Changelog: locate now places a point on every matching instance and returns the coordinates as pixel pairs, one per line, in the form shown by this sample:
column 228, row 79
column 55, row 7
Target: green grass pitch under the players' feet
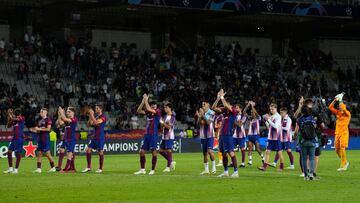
column 118, row 184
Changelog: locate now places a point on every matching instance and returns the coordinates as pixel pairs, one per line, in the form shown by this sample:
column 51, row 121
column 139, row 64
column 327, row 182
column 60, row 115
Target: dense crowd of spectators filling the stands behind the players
column 183, row 76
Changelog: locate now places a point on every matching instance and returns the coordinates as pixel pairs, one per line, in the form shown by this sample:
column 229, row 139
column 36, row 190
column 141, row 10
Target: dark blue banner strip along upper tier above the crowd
column 258, row 6
